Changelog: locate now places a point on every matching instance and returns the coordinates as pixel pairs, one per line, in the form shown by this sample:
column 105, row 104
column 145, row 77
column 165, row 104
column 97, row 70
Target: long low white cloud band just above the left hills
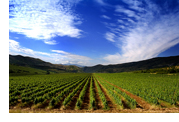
column 55, row 56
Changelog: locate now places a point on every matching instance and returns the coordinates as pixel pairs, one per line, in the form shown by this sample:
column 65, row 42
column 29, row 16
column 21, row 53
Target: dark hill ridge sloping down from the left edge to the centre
column 36, row 63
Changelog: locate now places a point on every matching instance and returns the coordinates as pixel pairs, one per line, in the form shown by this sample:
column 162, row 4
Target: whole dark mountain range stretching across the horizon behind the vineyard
column 39, row 64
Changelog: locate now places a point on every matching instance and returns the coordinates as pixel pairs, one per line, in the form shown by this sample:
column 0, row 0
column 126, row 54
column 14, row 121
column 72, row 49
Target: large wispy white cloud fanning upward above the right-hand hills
column 148, row 36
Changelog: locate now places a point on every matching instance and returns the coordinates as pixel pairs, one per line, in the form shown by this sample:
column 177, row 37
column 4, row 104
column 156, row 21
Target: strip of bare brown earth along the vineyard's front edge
column 137, row 110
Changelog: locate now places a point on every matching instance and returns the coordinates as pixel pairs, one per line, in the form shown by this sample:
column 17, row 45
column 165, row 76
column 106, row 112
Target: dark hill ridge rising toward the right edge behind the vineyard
column 158, row 62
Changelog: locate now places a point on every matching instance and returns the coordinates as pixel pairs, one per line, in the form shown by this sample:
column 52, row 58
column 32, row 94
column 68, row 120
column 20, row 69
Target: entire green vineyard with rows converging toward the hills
column 97, row 92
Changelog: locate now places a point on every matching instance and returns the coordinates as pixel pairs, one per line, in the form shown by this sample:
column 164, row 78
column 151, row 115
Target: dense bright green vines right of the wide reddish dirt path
column 150, row 87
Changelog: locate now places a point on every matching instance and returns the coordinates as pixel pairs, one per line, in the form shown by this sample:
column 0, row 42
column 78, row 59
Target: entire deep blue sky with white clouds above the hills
column 91, row 32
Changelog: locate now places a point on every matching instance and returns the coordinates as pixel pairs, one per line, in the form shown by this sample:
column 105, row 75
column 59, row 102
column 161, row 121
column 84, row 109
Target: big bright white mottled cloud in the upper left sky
column 44, row 19
